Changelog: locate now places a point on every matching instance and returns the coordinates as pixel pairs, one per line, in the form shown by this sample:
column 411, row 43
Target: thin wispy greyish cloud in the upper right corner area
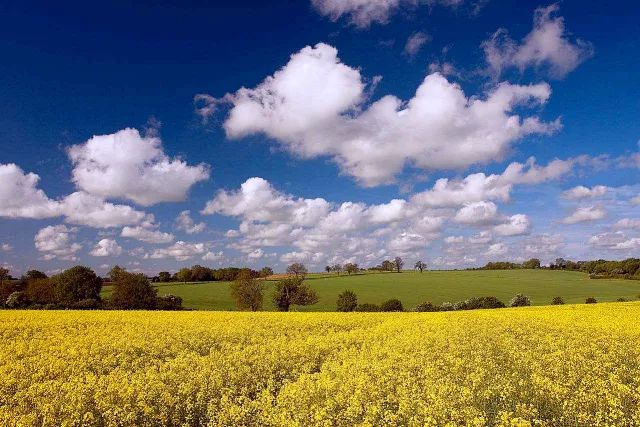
column 547, row 45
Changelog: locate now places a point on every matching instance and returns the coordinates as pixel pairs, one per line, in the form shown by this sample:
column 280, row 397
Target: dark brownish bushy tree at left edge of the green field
column 133, row 291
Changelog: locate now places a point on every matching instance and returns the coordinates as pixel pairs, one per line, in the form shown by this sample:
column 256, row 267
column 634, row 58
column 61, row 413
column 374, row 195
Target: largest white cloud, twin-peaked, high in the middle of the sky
column 314, row 106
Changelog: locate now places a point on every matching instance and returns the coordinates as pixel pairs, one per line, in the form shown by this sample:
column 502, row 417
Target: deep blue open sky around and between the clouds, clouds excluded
column 71, row 70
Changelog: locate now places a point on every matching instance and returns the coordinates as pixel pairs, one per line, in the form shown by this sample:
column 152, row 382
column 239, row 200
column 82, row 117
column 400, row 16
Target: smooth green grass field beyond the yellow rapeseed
column 413, row 288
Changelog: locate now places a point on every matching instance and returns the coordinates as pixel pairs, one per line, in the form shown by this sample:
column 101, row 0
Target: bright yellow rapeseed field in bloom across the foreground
column 555, row 366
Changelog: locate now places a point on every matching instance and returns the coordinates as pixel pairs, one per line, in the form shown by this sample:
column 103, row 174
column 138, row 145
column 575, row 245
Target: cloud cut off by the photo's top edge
column 362, row 13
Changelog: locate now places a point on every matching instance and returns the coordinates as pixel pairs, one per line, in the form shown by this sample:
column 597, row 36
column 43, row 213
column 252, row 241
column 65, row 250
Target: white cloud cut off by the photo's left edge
column 20, row 197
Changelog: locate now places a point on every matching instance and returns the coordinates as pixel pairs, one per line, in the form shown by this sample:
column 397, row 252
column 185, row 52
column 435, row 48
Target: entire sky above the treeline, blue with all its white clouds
column 131, row 115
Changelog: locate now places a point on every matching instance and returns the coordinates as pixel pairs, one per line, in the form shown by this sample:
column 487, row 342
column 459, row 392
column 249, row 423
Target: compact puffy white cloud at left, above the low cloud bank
column 126, row 165
